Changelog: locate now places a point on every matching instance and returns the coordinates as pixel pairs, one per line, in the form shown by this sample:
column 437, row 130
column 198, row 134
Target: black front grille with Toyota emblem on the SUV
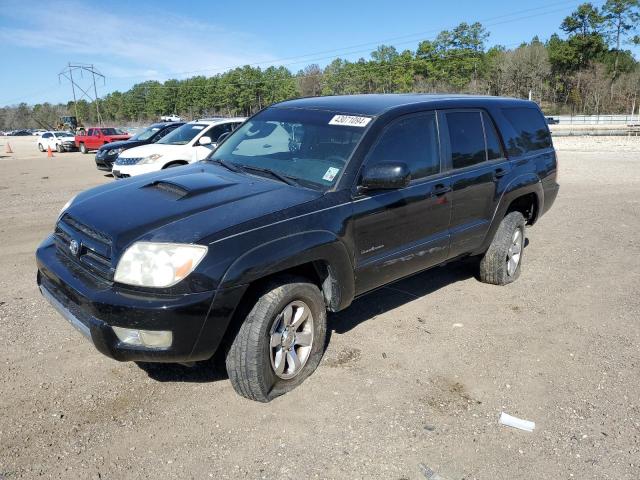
column 94, row 252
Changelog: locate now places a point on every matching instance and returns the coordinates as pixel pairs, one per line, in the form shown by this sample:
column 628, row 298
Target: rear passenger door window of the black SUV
column 466, row 137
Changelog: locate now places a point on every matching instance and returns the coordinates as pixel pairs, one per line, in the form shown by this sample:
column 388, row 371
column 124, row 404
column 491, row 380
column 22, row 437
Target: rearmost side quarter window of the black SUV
column 530, row 130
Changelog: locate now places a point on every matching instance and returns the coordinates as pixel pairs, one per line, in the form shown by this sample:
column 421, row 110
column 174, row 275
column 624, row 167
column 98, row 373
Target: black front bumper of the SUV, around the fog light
column 198, row 321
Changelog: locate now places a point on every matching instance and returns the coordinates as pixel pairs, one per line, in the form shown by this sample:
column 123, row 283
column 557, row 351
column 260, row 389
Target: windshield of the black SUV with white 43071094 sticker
column 309, row 146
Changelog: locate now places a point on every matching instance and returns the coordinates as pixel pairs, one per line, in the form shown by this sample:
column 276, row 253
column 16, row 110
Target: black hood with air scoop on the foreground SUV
column 184, row 205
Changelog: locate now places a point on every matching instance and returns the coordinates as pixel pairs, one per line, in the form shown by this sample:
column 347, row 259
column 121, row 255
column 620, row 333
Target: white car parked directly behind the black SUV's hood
column 189, row 143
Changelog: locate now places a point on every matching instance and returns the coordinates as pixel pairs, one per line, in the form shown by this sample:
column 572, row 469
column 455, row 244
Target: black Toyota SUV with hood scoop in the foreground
column 306, row 206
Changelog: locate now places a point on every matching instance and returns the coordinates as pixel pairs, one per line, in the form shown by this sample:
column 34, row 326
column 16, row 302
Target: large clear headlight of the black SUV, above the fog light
column 148, row 264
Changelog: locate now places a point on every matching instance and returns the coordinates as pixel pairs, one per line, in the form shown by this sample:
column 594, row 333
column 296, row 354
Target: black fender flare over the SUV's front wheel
column 292, row 251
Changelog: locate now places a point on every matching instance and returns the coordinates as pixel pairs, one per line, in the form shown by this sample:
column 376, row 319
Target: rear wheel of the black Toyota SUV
column 502, row 262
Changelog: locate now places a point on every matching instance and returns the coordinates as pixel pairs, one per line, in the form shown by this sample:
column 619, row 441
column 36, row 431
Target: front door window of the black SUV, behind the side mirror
column 412, row 140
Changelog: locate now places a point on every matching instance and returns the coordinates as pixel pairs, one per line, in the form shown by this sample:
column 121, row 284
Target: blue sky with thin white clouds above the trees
column 133, row 41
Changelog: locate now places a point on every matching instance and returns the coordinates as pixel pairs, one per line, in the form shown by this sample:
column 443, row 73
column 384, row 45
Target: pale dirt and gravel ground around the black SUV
column 413, row 381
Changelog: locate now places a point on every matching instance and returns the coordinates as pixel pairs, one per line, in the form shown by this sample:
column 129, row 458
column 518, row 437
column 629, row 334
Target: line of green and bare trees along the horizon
column 583, row 69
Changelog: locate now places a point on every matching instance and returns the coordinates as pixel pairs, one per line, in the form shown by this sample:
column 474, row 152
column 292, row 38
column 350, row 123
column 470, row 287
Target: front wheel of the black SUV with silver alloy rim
column 254, row 367
